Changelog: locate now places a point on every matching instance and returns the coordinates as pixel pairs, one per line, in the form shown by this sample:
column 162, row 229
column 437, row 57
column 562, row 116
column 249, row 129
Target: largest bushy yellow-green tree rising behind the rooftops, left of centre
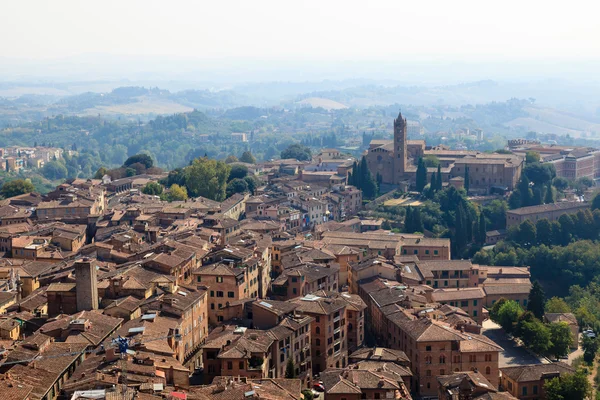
column 207, row 178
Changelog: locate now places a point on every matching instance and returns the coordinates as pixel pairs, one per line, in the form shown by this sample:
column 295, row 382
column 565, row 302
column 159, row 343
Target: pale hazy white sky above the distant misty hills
column 303, row 39
